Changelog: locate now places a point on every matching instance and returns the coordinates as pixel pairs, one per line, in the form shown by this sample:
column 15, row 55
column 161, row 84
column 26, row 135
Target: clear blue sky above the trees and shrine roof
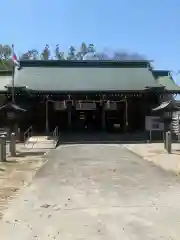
column 148, row 27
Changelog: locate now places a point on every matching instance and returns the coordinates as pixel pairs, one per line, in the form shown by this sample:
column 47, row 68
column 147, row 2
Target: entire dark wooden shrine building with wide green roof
column 112, row 96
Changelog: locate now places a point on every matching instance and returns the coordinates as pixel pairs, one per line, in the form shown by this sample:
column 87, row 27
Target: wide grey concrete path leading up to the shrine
column 96, row 192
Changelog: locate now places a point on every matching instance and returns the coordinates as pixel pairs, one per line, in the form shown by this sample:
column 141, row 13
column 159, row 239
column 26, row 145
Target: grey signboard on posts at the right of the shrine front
column 152, row 123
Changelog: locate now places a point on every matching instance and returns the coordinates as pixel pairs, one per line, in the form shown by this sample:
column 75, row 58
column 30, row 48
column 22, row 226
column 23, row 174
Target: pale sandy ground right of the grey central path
column 155, row 153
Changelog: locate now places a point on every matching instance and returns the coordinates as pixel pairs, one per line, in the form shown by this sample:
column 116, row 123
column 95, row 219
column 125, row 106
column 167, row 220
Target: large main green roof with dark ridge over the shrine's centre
column 87, row 76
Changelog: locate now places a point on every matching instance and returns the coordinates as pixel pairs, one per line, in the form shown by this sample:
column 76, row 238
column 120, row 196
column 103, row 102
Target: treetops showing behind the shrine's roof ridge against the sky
column 72, row 54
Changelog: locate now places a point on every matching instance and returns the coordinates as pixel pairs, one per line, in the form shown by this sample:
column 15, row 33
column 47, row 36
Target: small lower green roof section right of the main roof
column 165, row 78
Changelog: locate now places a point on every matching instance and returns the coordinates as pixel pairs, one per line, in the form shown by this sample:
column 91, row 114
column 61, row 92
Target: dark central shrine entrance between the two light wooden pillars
column 87, row 116
